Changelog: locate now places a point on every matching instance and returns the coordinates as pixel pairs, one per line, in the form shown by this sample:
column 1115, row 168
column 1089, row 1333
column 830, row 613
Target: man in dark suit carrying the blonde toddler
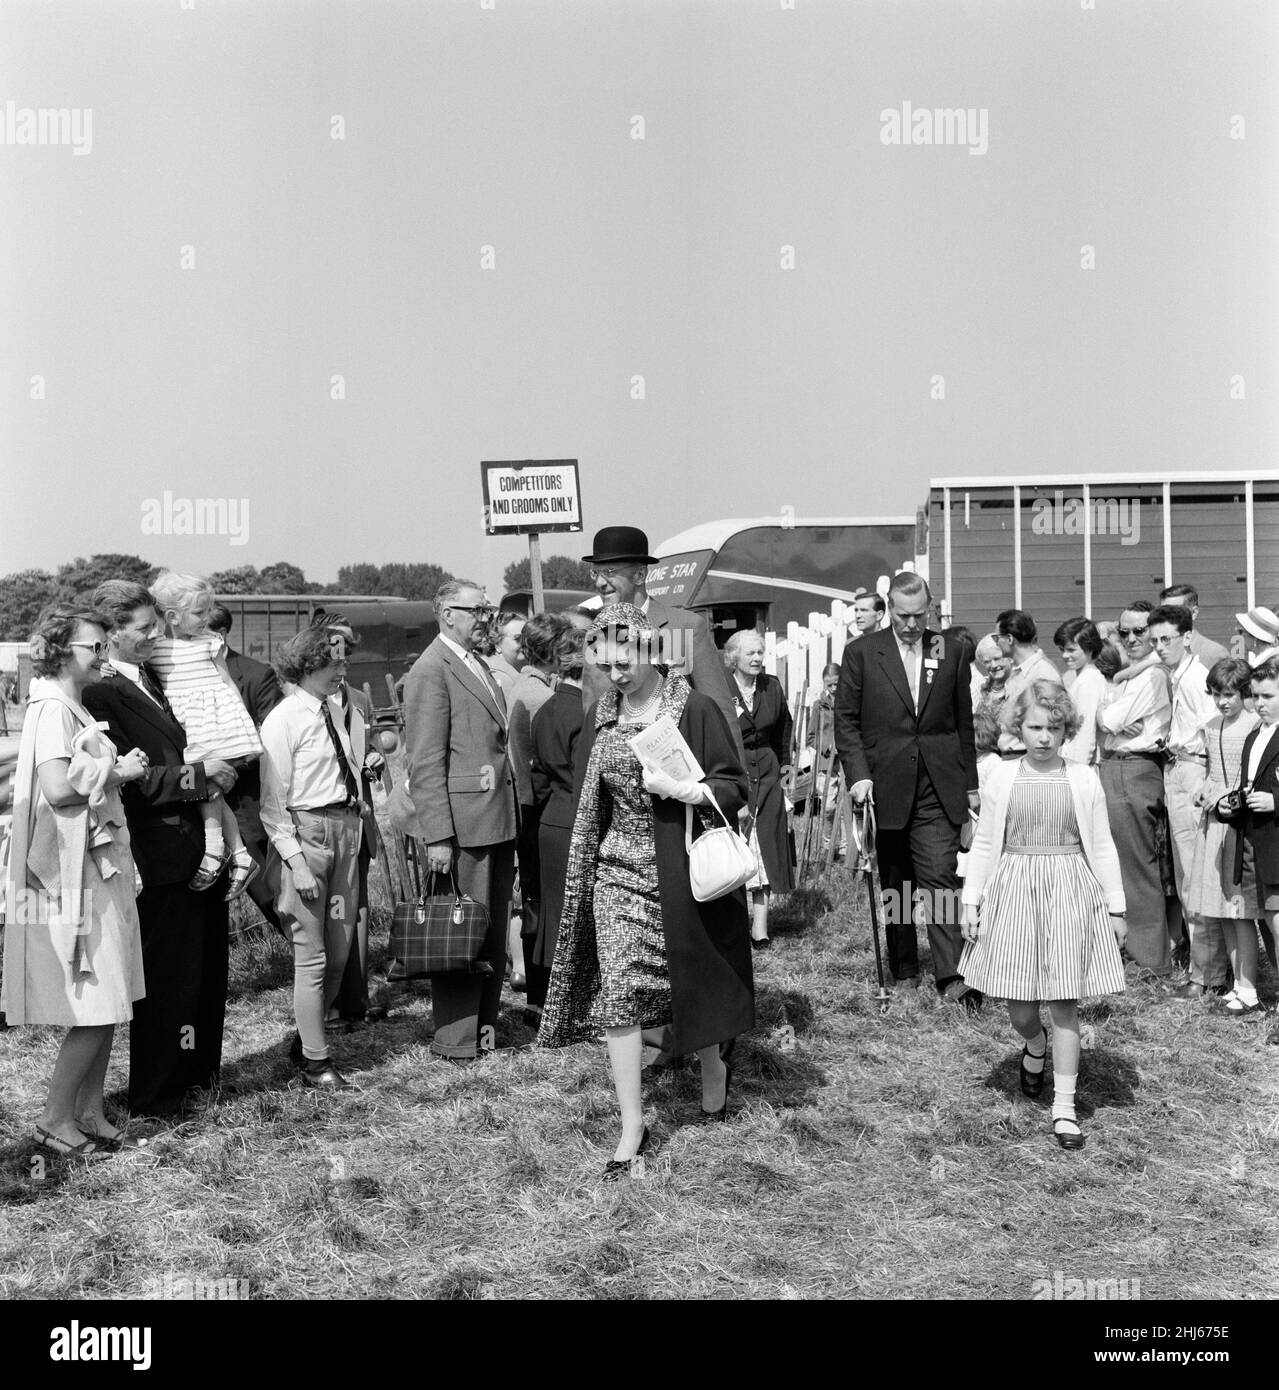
column 176, row 1039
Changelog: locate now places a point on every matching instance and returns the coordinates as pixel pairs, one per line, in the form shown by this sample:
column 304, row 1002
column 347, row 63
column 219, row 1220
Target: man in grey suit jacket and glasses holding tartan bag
column 462, row 789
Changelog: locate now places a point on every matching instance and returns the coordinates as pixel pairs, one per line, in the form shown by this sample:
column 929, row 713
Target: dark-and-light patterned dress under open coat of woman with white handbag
column 635, row 981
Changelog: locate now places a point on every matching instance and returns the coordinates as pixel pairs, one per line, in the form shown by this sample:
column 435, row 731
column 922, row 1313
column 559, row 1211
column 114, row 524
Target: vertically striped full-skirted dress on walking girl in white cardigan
column 1046, row 932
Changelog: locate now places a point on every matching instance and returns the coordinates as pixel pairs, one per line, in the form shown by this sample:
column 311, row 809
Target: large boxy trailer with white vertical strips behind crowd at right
column 1091, row 544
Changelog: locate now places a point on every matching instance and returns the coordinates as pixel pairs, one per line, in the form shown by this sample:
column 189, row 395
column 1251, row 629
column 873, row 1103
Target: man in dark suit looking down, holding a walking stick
column 904, row 732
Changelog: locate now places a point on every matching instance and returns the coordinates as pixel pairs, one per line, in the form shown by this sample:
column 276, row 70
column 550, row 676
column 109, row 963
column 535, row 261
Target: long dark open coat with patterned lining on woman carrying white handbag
column 708, row 945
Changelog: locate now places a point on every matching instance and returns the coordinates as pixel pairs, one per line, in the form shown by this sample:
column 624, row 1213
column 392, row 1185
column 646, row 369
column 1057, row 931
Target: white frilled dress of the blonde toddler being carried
column 205, row 698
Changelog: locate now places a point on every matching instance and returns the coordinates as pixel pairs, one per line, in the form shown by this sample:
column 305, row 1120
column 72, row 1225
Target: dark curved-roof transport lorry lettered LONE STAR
column 768, row 572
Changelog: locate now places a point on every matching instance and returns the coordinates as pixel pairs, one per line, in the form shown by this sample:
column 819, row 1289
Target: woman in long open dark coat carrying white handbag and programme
column 636, row 950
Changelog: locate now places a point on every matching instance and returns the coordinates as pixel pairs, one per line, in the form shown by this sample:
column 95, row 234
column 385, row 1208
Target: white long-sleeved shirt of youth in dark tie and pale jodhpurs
column 300, row 768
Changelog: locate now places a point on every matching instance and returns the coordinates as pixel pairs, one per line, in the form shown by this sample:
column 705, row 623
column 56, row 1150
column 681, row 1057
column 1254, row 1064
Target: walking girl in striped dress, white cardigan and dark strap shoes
column 1043, row 901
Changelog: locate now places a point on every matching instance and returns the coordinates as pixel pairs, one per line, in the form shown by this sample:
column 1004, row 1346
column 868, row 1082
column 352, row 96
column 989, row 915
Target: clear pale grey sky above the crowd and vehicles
column 512, row 127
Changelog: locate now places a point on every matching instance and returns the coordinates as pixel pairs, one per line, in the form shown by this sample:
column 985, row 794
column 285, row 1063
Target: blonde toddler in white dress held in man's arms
column 191, row 667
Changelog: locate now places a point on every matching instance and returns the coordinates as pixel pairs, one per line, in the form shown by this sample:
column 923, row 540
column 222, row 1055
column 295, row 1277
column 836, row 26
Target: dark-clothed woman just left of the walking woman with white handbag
column 555, row 730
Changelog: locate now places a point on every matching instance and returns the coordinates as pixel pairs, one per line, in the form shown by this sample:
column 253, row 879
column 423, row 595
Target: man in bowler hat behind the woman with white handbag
column 619, row 569
